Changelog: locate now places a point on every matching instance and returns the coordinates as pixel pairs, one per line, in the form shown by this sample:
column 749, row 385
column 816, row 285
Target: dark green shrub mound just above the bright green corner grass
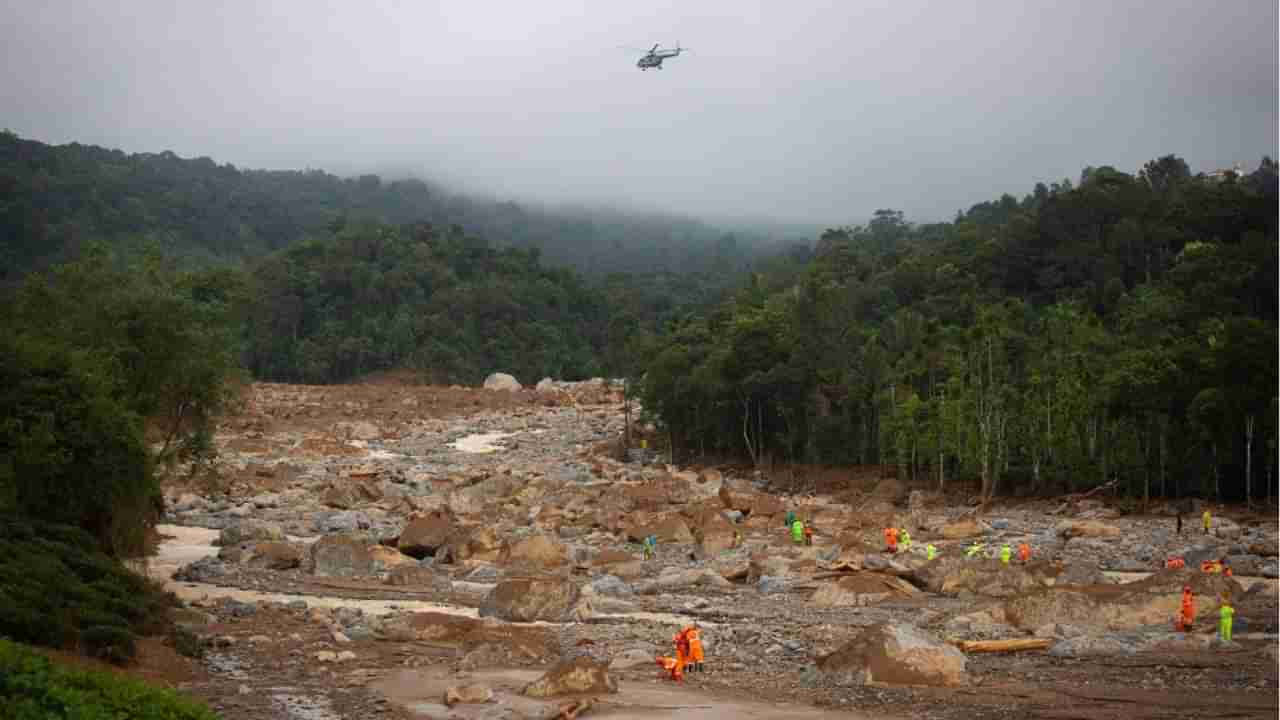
column 60, row 590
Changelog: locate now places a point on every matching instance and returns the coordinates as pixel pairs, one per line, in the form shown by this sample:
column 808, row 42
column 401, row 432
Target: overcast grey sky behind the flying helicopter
column 797, row 111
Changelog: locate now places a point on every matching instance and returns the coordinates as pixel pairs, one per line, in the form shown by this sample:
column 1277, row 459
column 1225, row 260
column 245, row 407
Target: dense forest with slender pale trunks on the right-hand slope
column 1123, row 330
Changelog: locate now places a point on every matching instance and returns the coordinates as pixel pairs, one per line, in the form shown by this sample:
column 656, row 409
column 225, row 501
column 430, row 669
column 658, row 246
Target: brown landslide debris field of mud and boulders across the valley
column 390, row 550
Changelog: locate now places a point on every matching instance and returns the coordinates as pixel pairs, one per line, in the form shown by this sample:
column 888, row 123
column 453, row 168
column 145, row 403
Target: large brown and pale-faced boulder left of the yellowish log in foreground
column 895, row 654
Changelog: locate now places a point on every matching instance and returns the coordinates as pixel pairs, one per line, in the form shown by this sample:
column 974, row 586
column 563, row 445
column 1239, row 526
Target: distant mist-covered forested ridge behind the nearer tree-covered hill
column 54, row 199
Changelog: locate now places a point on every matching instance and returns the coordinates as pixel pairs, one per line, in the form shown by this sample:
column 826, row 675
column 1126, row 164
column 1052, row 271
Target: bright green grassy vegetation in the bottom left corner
column 35, row 689
